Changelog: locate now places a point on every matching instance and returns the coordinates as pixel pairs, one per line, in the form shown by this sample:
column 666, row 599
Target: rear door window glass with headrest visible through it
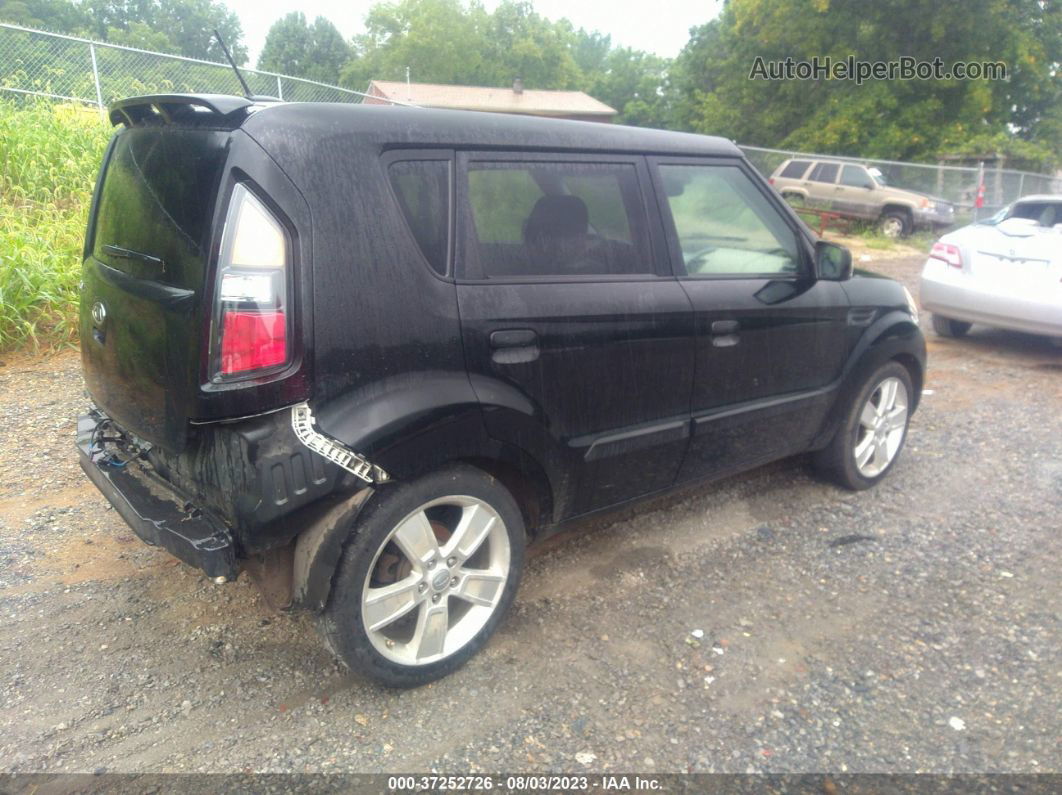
column 554, row 220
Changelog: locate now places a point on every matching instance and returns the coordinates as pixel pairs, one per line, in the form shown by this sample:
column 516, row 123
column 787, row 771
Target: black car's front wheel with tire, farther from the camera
column 873, row 433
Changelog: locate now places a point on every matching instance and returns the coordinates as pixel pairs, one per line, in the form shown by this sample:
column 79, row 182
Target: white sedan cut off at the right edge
column 1004, row 272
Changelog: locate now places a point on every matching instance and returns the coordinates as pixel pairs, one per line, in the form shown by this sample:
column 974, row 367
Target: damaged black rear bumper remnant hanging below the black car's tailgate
column 156, row 511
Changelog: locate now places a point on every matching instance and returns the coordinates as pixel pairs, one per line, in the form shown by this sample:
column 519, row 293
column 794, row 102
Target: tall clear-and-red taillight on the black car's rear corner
column 252, row 295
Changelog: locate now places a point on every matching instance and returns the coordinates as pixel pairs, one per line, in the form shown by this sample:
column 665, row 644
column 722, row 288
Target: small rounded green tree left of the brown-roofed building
column 315, row 51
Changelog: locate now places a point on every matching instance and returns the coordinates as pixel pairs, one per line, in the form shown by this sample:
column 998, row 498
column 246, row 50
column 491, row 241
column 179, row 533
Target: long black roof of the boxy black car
column 386, row 126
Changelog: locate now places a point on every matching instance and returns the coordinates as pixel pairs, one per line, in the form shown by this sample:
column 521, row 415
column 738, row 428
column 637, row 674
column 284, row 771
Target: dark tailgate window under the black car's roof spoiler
column 153, row 215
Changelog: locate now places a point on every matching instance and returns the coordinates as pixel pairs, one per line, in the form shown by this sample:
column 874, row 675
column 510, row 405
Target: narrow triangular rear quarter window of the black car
column 423, row 191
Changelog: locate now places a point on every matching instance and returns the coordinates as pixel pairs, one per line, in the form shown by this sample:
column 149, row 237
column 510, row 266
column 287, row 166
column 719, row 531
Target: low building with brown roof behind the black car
column 555, row 105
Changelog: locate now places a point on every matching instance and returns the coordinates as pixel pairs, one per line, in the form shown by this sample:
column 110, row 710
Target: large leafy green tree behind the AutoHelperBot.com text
column 898, row 119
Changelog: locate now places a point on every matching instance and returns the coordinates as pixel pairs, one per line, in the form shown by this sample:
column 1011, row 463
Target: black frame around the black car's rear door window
column 655, row 234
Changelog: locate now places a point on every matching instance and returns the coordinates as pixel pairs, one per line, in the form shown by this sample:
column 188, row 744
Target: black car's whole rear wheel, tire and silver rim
column 430, row 574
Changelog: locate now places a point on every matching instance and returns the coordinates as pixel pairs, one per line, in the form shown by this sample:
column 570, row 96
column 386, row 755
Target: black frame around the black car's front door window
column 804, row 245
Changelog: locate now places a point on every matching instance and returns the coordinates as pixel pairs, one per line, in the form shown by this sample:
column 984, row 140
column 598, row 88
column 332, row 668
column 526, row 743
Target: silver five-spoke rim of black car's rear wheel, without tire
column 436, row 581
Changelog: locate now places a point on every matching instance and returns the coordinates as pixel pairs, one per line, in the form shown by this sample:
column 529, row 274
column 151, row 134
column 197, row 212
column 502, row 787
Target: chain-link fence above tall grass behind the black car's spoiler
column 36, row 63
